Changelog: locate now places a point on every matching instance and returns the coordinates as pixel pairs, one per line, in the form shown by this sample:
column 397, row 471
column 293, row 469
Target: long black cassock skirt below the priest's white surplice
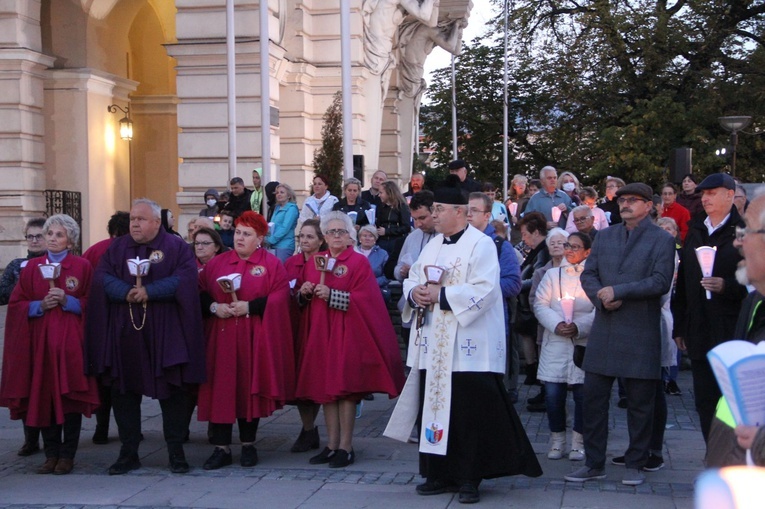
column 486, row 437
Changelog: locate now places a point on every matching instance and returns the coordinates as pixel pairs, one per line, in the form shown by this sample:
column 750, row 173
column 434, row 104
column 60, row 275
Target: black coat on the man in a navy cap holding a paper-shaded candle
column 704, row 323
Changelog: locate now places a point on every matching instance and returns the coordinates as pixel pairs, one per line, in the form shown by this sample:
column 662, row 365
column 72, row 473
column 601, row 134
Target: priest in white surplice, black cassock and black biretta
column 469, row 428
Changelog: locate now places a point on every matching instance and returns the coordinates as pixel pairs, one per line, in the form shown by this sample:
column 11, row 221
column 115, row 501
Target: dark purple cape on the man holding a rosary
column 168, row 351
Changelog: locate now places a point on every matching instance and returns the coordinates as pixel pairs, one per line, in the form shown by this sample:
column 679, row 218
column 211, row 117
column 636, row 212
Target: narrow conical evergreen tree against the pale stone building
column 328, row 159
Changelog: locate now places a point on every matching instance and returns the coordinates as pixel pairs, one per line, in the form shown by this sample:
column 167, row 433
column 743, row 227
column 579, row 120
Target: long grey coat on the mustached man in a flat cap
column 626, row 342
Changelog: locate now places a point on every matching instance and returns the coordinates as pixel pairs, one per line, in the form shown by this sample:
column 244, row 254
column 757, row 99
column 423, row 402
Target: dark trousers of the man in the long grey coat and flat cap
column 641, row 396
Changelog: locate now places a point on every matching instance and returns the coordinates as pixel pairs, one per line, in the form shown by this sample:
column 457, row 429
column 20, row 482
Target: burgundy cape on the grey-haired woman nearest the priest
column 346, row 354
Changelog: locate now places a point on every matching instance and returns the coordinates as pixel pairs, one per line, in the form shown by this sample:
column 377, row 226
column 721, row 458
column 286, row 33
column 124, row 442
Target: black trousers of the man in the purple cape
column 127, row 413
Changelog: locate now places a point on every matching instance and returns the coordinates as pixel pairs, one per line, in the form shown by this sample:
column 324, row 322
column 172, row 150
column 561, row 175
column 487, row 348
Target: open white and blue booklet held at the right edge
column 739, row 367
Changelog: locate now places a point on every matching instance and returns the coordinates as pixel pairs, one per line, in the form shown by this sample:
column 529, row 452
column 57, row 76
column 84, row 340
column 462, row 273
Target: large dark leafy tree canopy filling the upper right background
column 608, row 88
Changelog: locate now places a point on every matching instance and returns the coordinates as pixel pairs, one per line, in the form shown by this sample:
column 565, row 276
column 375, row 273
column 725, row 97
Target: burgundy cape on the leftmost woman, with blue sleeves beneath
column 43, row 372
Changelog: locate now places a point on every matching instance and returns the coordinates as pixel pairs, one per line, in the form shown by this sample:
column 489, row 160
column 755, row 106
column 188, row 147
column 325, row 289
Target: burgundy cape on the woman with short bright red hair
column 250, row 360
